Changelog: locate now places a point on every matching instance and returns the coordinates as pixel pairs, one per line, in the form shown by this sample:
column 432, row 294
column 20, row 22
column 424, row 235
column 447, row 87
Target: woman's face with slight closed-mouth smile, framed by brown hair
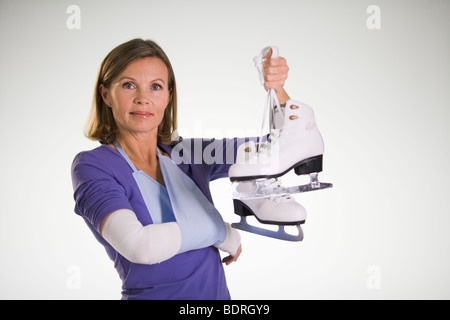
column 139, row 96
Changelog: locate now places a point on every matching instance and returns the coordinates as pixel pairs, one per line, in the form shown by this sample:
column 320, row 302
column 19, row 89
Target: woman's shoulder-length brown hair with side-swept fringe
column 101, row 125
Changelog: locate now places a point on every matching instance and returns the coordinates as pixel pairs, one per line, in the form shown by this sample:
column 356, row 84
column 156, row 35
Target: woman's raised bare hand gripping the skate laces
column 275, row 71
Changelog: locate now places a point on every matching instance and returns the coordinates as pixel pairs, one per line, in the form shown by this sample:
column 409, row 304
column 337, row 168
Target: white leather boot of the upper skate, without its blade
column 297, row 145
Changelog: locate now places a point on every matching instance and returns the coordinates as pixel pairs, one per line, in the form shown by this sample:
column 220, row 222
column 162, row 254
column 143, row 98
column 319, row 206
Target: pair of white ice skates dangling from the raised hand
column 295, row 143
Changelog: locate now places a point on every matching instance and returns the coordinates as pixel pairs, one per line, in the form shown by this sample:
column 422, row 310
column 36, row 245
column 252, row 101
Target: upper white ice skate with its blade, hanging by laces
column 294, row 142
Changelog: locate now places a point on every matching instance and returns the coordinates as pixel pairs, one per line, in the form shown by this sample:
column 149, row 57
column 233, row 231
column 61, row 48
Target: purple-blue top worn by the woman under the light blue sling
column 103, row 183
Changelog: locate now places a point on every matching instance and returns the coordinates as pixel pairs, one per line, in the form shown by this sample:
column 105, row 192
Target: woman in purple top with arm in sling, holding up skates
column 155, row 218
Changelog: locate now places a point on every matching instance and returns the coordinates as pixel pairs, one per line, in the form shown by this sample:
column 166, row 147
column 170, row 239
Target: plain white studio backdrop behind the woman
column 381, row 98
